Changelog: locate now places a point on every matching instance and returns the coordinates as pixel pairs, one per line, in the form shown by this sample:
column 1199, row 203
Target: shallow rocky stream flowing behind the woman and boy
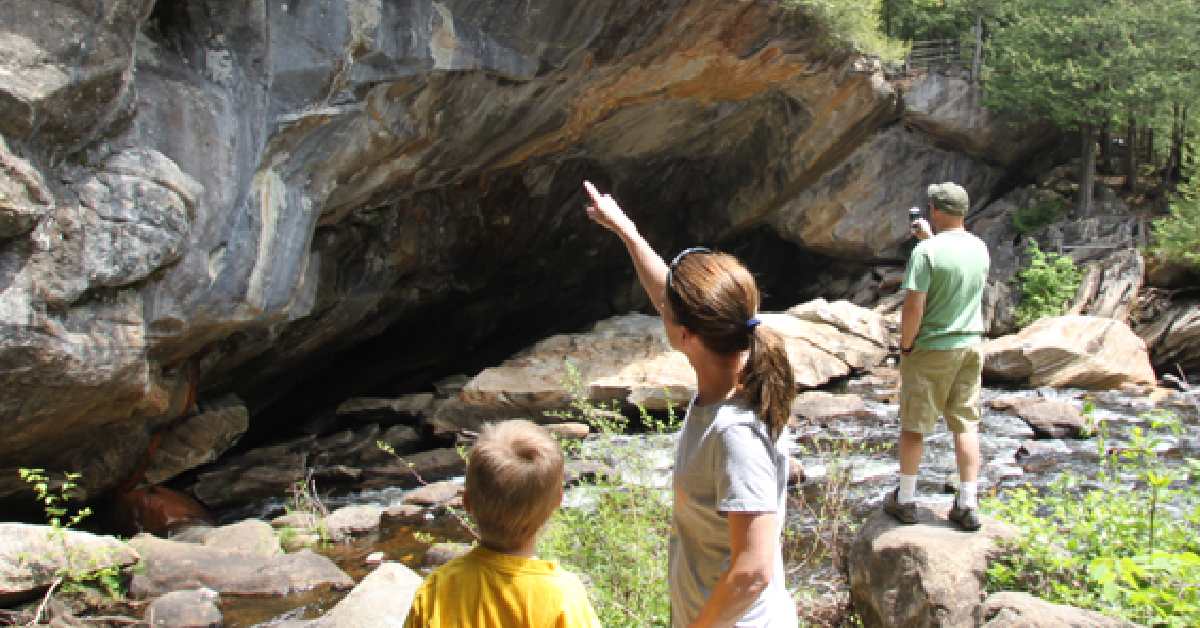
column 849, row 465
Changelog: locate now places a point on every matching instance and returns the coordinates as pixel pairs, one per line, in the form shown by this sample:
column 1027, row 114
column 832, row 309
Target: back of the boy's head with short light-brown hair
column 514, row 482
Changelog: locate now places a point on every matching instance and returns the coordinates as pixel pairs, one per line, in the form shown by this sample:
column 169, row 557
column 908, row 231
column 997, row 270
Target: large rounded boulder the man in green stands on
column 921, row 576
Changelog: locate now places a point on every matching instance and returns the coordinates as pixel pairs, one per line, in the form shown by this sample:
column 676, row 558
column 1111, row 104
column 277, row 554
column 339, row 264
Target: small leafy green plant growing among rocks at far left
column 83, row 569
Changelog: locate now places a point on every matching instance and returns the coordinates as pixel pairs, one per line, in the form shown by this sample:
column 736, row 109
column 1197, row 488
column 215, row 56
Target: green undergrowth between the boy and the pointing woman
column 620, row 545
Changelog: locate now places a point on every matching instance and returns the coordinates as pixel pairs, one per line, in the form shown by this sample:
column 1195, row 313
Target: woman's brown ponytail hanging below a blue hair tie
column 769, row 381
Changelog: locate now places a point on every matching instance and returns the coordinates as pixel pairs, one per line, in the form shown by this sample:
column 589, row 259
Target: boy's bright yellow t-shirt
column 485, row 589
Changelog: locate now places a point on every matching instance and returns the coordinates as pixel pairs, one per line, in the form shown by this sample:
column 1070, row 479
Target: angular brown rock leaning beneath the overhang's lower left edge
column 199, row 440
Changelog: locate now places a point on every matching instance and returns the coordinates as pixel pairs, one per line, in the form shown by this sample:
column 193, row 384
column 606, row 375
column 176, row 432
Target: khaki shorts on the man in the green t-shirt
column 937, row 382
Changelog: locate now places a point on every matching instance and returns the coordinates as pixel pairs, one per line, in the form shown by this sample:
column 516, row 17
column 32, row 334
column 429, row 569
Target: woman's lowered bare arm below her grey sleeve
column 753, row 537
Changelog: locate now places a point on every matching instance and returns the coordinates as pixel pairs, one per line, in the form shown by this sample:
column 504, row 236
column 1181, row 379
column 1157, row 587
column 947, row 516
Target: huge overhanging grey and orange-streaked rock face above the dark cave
column 211, row 198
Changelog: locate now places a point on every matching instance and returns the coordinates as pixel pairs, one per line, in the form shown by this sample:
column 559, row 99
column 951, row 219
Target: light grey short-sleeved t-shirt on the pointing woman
column 725, row 463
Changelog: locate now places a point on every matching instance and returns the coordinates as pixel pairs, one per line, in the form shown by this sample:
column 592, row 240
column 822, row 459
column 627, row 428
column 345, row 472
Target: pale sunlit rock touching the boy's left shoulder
column 382, row 599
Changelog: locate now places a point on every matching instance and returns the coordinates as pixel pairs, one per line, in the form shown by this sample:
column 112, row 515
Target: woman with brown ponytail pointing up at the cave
column 727, row 567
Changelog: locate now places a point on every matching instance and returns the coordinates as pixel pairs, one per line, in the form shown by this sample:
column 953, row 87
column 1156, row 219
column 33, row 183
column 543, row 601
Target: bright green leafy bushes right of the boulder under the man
column 1111, row 548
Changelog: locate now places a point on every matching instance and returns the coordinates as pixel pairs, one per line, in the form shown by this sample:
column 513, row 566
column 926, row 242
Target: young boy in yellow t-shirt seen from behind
column 514, row 485
